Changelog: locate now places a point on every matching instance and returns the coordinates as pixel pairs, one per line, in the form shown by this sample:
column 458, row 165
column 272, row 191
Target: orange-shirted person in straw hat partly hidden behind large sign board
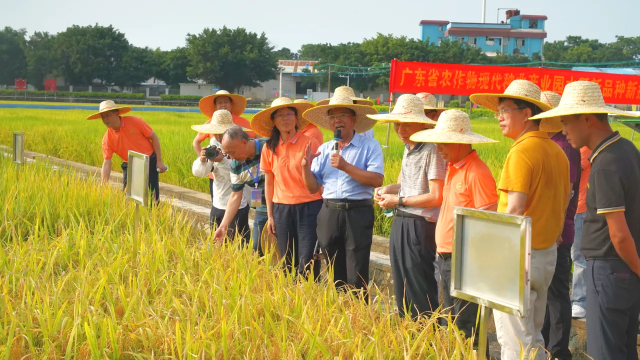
column 468, row 183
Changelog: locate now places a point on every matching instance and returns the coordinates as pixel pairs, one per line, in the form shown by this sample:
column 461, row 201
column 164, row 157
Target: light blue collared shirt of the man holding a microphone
column 364, row 153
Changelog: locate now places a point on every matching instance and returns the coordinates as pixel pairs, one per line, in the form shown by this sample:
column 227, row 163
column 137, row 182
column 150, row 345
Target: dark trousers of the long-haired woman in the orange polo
column 296, row 233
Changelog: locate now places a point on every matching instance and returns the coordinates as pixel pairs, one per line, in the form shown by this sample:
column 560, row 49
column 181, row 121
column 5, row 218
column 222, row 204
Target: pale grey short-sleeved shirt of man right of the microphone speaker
column 419, row 165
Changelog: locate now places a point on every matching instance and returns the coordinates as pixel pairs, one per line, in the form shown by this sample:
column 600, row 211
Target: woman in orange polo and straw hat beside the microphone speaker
column 292, row 211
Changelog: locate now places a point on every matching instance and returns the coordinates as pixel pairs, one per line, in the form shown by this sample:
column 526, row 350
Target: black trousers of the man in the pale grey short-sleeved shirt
column 412, row 252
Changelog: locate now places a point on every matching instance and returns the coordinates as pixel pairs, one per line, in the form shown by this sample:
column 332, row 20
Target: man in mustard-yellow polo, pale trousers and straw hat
column 535, row 183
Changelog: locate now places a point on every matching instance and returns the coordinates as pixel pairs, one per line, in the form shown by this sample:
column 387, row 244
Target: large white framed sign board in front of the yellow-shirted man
column 491, row 259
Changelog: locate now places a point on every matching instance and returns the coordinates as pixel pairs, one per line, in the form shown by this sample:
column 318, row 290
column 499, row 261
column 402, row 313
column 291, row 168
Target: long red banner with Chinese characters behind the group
column 456, row 79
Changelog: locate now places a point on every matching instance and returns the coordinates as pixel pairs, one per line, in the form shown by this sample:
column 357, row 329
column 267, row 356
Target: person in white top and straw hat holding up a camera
column 219, row 166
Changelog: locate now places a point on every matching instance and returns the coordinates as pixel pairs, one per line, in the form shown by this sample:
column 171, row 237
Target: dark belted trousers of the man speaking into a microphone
column 345, row 237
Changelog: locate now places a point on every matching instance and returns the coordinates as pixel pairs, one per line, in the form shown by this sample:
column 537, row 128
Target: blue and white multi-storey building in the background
column 519, row 34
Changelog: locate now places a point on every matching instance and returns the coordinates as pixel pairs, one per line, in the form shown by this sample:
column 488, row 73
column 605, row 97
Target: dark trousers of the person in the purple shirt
column 557, row 320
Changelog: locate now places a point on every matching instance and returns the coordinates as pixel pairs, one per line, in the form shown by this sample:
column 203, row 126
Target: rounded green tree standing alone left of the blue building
column 231, row 58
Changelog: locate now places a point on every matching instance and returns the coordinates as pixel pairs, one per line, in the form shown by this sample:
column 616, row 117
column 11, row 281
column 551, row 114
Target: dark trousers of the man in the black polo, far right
column 613, row 305
